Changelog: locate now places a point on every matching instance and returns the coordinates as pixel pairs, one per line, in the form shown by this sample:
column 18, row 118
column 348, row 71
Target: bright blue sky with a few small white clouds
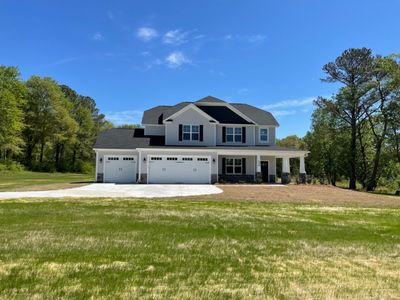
column 132, row 55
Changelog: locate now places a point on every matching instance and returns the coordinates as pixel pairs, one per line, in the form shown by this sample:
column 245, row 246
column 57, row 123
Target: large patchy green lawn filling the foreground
column 188, row 249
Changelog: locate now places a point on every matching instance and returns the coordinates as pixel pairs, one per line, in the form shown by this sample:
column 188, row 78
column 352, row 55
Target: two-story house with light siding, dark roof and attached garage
column 206, row 141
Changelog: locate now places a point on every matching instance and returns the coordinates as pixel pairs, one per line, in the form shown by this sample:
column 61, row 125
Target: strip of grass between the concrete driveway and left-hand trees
column 25, row 180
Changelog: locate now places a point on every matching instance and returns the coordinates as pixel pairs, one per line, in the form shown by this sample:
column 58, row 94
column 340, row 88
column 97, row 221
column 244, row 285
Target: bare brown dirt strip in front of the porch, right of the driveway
column 304, row 194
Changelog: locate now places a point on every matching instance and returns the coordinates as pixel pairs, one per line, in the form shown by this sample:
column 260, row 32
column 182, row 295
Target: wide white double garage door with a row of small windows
column 179, row 169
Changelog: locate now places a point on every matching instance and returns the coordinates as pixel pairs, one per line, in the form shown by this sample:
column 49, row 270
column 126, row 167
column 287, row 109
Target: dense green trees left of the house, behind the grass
column 45, row 126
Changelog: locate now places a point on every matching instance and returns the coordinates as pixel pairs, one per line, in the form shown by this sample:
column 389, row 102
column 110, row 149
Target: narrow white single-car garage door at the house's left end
column 120, row 168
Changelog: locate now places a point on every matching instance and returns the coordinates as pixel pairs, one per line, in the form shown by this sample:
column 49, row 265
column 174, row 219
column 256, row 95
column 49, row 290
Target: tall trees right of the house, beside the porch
column 355, row 133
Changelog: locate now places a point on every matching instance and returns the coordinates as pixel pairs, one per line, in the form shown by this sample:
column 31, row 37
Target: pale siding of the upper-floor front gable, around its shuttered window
column 190, row 117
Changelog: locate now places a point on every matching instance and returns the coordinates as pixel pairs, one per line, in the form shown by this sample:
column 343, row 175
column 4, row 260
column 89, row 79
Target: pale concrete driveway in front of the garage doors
column 121, row 190
